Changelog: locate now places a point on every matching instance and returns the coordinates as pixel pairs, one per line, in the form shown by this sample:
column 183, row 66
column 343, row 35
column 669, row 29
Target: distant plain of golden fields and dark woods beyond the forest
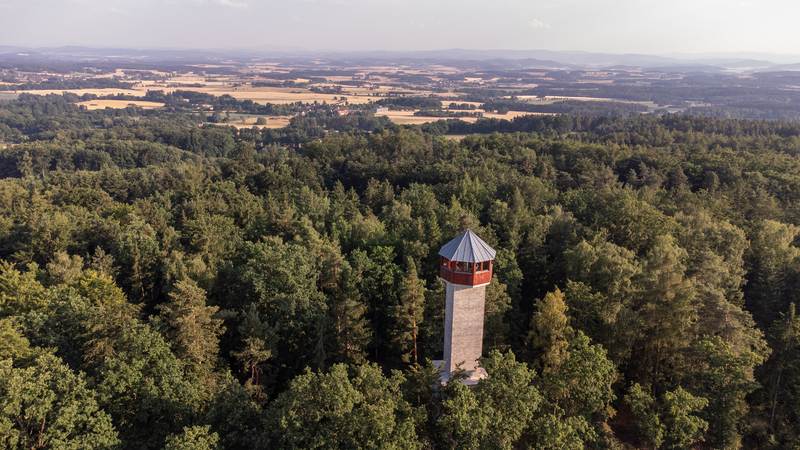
column 497, row 93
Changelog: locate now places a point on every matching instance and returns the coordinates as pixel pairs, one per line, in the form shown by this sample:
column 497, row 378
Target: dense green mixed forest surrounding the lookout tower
column 170, row 285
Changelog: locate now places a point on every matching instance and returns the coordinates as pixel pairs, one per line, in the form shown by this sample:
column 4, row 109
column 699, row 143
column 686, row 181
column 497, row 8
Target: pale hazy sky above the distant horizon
column 646, row 26
